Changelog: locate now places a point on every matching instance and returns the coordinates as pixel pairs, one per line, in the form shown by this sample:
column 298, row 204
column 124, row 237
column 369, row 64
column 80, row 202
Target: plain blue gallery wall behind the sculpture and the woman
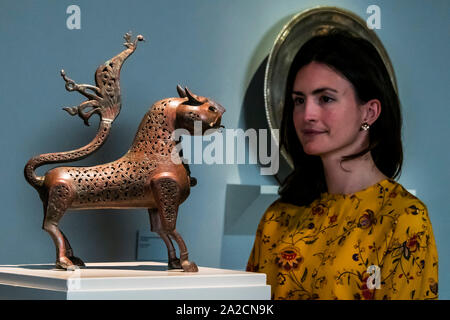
column 218, row 49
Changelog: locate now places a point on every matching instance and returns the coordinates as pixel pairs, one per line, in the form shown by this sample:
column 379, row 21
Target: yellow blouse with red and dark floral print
column 376, row 243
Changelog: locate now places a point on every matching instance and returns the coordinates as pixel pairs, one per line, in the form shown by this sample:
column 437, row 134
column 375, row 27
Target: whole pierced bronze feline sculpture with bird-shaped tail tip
column 150, row 175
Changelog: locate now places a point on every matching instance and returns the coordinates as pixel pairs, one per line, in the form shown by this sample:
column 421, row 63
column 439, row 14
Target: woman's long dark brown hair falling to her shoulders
column 360, row 63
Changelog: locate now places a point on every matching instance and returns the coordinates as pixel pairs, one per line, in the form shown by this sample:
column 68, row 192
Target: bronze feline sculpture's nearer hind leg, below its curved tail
column 59, row 198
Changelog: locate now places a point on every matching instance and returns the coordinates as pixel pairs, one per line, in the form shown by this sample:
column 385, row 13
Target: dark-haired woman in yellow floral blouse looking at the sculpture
column 342, row 227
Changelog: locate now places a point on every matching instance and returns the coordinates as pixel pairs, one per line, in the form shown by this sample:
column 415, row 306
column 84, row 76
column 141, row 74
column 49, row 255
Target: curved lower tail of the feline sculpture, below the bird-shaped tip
column 62, row 157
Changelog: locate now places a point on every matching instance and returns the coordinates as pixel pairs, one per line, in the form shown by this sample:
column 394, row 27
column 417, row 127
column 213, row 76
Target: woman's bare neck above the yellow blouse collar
column 350, row 176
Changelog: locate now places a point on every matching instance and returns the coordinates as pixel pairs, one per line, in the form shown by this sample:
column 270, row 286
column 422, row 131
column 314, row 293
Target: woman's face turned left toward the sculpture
column 327, row 117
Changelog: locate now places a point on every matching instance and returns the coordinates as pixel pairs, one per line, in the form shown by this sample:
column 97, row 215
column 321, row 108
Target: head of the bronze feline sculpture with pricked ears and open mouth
column 196, row 108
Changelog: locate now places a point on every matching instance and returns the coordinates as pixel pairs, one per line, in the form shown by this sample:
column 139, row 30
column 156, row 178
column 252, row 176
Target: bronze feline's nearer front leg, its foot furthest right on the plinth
column 167, row 195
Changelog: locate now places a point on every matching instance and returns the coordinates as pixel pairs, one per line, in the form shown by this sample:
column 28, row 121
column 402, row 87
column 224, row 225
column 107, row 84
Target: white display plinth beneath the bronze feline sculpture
column 130, row 280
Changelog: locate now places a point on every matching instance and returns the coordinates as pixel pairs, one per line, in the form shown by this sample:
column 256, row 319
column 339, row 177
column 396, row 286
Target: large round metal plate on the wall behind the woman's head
column 295, row 33
